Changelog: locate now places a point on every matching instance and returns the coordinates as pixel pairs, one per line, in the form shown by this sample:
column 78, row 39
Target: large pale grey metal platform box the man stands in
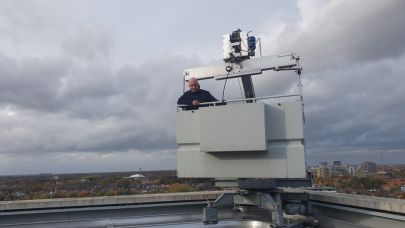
column 242, row 140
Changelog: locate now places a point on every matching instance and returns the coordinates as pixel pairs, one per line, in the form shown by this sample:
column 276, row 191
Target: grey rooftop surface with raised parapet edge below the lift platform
column 185, row 210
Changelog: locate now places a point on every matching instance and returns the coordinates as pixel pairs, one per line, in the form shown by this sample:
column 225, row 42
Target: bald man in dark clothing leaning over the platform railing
column 195, row 95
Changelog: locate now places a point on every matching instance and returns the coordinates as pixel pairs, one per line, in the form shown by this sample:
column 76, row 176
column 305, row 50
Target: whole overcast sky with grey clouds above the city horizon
column 91, row 86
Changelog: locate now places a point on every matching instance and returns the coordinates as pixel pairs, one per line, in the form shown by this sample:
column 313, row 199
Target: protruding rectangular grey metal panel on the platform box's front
column 239, row 127
